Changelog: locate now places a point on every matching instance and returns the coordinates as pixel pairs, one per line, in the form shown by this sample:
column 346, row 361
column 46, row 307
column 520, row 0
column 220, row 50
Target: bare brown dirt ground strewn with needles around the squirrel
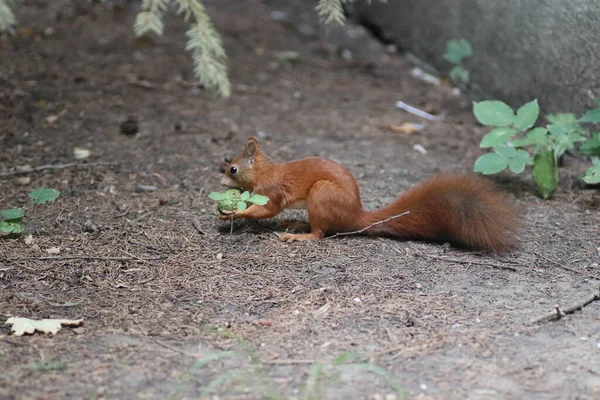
column 173, row 313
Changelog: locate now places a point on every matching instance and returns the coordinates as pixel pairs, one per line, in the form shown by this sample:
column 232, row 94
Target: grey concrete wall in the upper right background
column 549, row 49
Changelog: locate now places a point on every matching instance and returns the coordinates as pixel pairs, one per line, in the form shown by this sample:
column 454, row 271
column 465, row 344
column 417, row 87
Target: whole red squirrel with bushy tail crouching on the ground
column 464, row 209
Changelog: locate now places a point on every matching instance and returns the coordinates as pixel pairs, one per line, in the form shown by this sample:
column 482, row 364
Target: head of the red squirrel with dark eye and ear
column 240, row 172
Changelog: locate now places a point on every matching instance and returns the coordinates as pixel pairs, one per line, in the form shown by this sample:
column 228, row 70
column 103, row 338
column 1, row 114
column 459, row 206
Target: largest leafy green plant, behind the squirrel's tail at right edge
column 514, row 139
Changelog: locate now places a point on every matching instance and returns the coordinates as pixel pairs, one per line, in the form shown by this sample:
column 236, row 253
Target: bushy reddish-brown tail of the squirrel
column 463, row 209
